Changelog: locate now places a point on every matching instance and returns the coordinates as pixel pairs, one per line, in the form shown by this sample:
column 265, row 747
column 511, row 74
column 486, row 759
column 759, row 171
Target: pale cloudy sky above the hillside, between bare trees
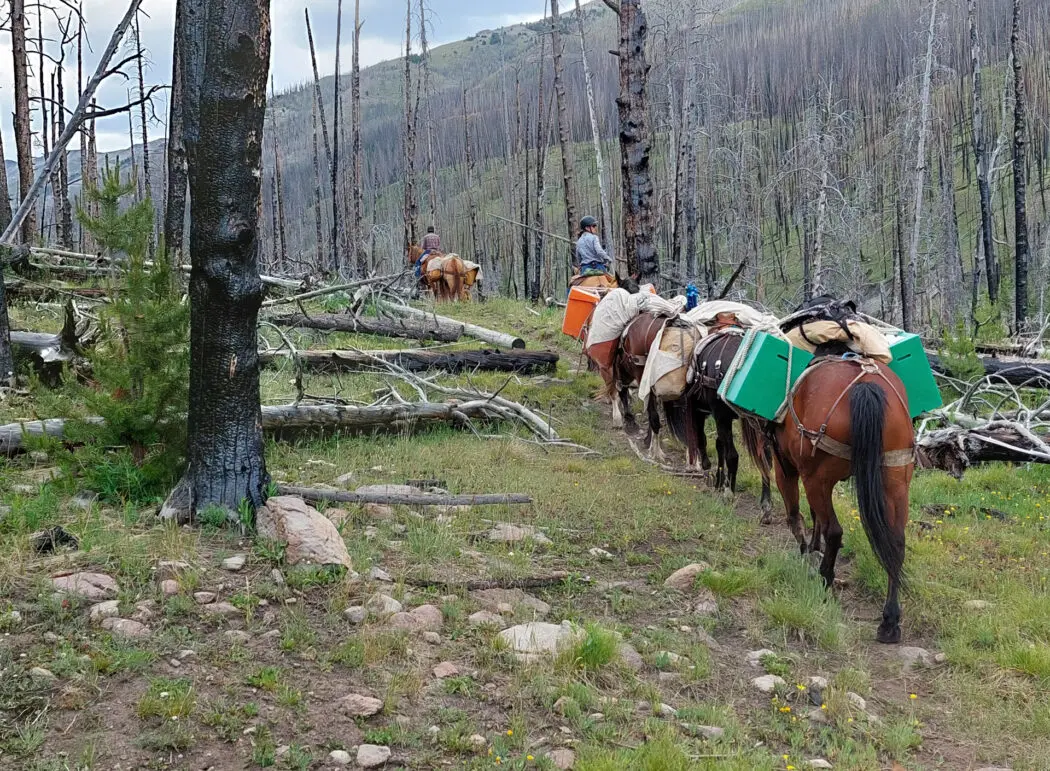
column 383, row 38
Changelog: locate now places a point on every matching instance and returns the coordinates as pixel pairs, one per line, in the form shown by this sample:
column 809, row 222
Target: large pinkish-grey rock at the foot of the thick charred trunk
column 310, row 537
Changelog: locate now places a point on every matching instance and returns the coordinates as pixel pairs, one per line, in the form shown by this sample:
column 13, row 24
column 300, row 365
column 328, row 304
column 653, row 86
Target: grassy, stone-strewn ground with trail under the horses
column 268, row 700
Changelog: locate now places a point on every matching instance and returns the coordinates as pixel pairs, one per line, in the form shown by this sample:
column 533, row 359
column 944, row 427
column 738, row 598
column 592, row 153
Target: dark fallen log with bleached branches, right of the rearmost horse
column 956, row 449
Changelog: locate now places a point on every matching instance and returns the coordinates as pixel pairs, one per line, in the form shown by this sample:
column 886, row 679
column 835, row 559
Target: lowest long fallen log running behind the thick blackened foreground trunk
column 339, row 418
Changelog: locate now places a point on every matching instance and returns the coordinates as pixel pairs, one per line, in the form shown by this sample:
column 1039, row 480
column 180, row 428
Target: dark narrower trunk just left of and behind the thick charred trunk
column 175, row 205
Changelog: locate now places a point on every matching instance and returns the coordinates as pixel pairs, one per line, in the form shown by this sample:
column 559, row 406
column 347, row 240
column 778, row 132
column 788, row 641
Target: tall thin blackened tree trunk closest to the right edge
column 1020, row 180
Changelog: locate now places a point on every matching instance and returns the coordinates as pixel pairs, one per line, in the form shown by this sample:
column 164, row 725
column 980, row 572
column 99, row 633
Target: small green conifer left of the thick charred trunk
column 141, row 369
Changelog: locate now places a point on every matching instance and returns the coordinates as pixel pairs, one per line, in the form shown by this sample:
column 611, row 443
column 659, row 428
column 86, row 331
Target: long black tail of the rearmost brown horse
column 868, row 418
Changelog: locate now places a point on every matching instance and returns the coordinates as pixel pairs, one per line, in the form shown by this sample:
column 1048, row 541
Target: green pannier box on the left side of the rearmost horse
column 758, row 383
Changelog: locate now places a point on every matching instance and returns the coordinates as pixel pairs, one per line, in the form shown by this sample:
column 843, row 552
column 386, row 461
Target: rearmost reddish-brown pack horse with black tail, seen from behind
column 850, row 418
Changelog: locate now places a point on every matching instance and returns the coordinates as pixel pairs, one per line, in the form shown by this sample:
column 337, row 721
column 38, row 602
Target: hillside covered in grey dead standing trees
column 766, row 71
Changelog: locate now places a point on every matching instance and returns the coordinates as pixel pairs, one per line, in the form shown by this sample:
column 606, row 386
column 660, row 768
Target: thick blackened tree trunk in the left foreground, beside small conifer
column 226, row 57
